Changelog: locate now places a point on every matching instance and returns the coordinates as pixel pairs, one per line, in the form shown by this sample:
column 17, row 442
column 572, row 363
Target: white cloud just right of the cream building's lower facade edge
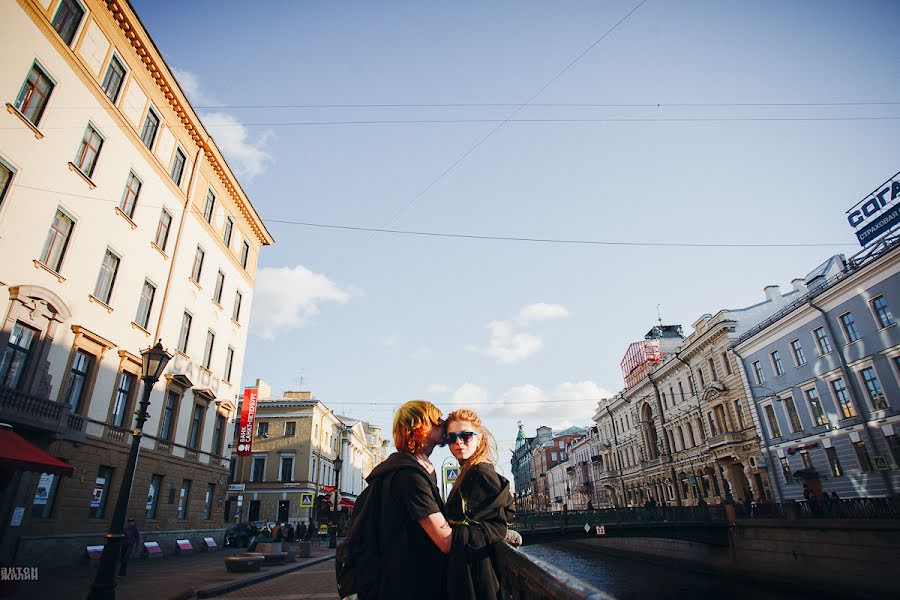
column 286, row 297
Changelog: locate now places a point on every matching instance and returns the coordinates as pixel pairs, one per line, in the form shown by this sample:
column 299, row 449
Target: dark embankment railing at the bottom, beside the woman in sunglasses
column 525, row 578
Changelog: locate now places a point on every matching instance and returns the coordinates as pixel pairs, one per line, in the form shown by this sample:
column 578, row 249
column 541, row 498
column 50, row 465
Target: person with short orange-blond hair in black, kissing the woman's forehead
column 413, row 535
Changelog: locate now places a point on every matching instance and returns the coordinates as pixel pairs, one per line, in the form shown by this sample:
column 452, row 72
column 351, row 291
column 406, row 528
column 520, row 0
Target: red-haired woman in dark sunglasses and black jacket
column 479, row 507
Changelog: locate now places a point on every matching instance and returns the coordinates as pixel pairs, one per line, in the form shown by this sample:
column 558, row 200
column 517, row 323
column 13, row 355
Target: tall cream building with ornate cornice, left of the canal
column 120, row 224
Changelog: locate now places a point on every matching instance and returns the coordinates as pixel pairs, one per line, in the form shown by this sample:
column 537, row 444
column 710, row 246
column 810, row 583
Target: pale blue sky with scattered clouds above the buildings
column 746, row 127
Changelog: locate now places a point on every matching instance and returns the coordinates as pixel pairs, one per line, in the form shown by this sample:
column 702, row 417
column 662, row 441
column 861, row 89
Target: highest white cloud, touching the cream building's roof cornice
column 248, row 155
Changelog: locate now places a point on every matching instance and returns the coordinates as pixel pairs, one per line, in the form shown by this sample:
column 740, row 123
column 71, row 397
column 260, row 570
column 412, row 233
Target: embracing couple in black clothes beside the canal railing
column 428, row 549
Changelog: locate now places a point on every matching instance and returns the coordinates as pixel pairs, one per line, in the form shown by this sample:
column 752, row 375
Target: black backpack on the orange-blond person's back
column 358, row 559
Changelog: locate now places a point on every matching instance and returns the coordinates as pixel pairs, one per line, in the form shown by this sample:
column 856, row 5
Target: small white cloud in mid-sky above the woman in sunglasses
column 507, row 344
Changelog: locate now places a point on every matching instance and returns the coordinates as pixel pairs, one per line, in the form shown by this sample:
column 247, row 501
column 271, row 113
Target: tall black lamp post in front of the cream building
column 154, row 361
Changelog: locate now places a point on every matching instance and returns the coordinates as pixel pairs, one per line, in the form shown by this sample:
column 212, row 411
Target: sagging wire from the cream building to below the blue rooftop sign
column 468, row 236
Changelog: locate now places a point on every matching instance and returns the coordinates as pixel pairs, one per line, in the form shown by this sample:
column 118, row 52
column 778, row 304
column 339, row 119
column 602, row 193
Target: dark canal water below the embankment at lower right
column 632, row 578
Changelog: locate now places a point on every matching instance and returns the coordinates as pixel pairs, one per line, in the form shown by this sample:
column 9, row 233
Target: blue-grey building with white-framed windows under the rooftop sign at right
column 824, row 376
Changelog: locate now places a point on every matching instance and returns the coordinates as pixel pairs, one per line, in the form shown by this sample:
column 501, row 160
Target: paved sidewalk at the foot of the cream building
column 198, row 575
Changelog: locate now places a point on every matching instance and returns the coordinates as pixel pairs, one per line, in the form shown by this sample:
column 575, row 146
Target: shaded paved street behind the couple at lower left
column 184, row 577
